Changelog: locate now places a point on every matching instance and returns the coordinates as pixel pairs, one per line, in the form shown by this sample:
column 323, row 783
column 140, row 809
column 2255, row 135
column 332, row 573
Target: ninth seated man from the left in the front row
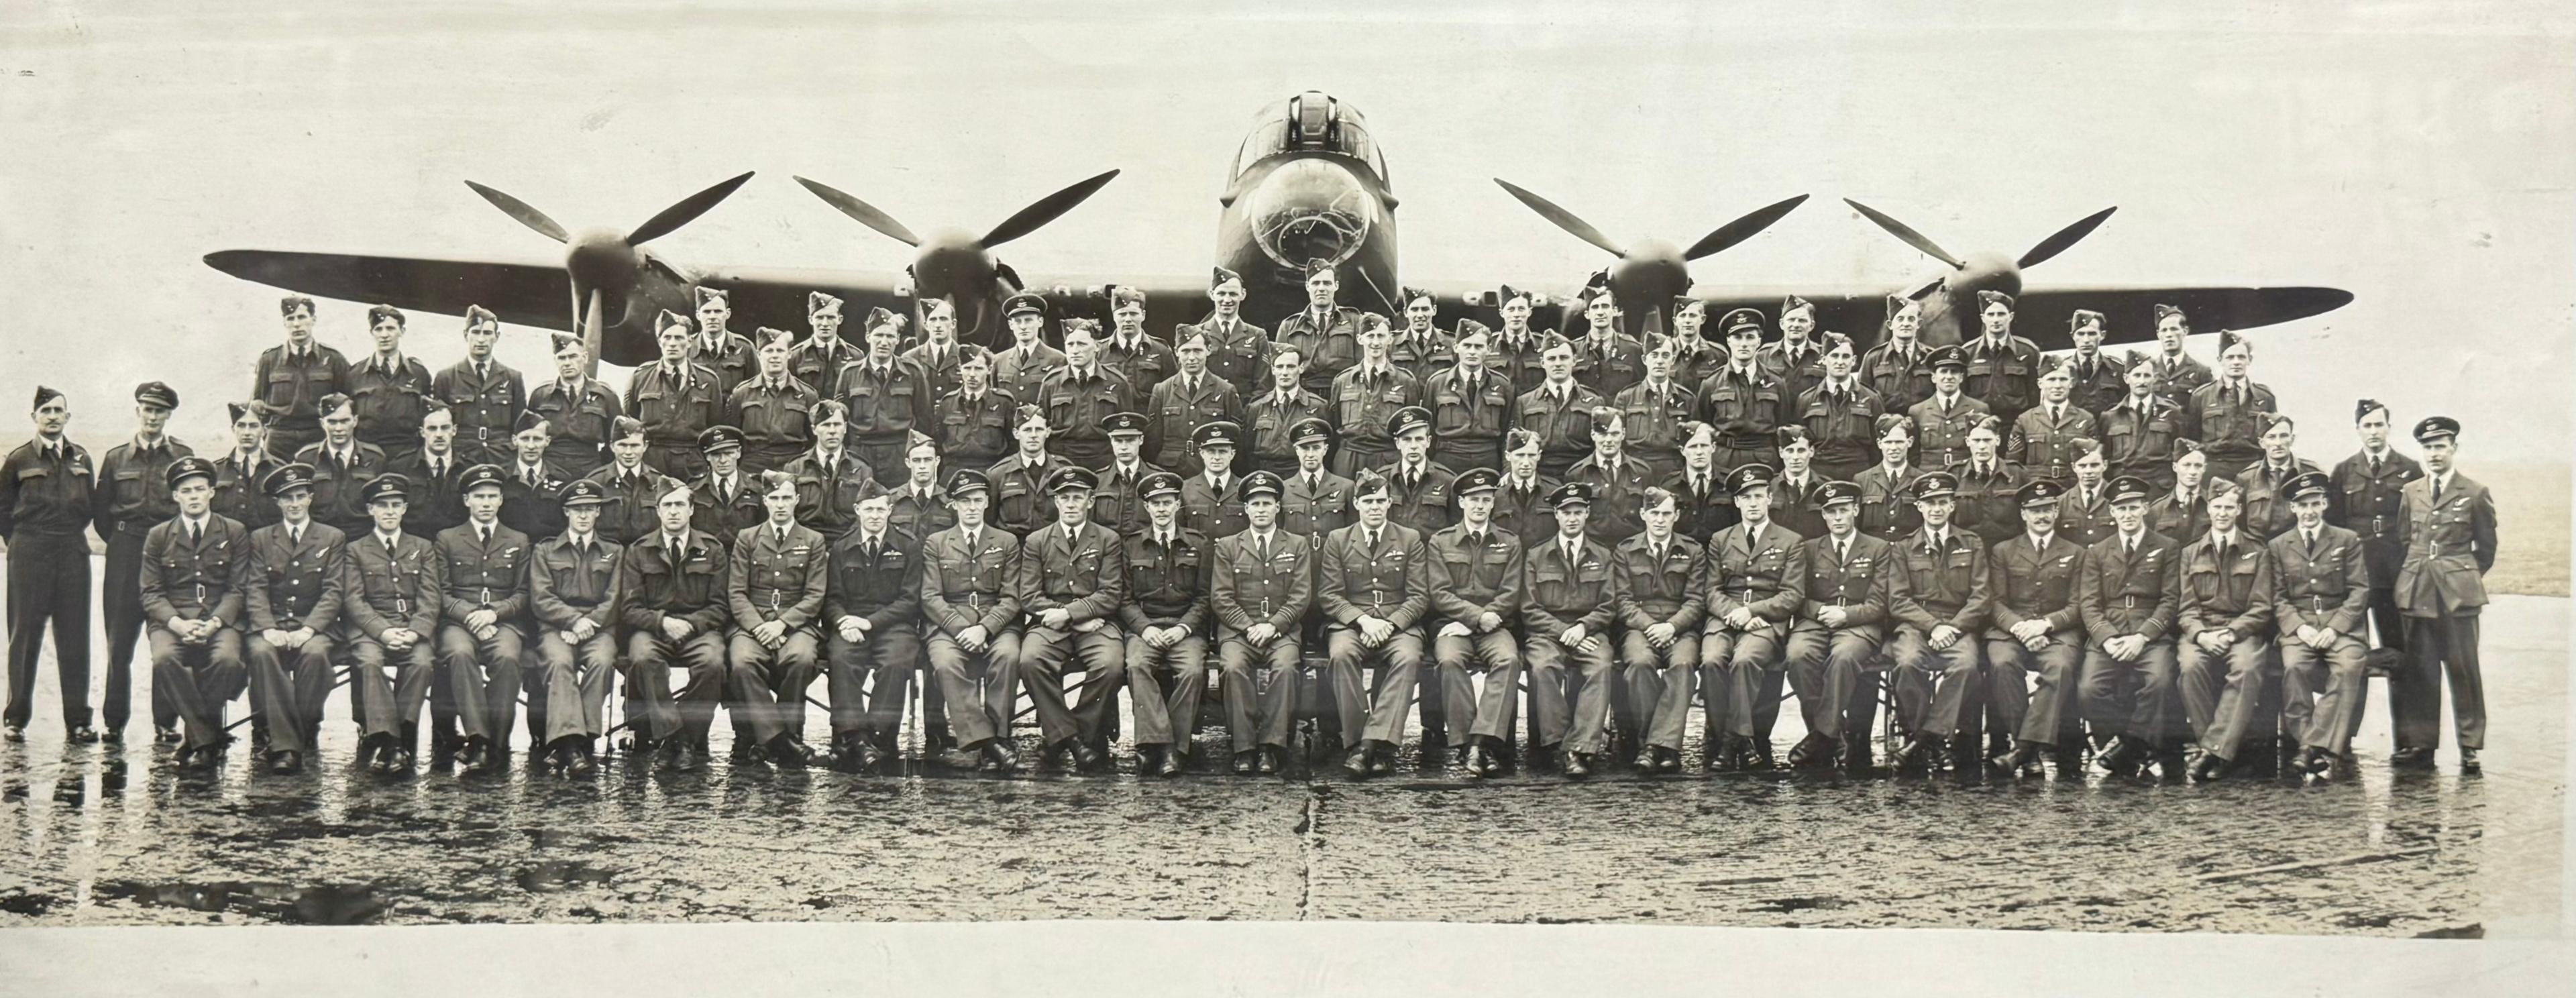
column 970, row 621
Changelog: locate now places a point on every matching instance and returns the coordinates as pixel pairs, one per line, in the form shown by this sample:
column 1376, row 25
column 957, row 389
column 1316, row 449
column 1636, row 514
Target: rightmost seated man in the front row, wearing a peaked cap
column 2322, row 588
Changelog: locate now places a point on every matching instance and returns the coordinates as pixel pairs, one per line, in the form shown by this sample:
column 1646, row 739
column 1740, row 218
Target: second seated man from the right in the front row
column 2224, row 634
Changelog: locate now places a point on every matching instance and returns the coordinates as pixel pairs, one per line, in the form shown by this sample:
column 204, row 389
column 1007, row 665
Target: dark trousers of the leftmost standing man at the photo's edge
column 50, row 585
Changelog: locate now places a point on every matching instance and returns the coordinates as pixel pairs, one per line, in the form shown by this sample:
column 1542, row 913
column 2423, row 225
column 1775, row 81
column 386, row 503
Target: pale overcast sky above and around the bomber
column 2418, row 158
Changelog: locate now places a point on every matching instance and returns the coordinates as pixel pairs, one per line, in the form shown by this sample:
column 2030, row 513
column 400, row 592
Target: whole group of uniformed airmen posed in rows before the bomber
column 2108, row 559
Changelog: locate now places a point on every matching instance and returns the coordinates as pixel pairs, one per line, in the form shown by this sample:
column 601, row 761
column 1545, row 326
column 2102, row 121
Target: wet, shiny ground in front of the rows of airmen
column 117, row 837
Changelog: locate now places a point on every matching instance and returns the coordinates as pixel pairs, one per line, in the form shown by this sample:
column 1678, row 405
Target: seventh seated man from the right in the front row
column 1753, row 593
